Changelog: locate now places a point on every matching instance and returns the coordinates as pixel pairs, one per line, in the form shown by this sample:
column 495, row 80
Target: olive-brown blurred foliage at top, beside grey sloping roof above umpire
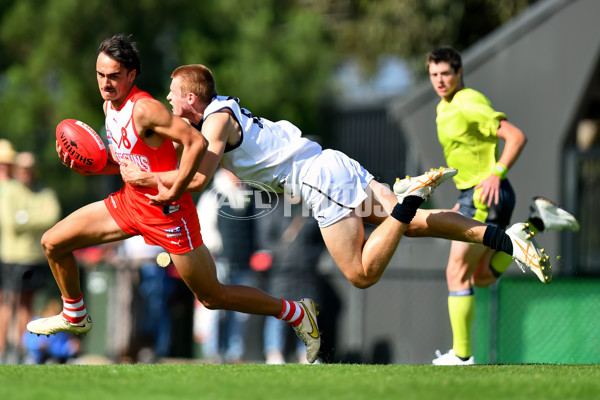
column 366, row 29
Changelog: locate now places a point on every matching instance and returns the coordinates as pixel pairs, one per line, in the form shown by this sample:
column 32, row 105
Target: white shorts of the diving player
column 333, row 185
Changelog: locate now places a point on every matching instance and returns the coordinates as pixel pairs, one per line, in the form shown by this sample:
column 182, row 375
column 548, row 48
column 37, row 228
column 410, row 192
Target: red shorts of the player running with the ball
column 175, row 227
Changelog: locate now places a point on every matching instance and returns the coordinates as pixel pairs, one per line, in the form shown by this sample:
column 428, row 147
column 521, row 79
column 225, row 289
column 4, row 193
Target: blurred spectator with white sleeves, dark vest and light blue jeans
column 226, row 213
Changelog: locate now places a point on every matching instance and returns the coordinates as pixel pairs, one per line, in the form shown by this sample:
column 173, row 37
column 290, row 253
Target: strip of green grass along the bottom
column 327, row 381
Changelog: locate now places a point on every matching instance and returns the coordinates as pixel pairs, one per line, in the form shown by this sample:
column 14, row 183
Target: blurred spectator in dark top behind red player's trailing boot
column 293, row 240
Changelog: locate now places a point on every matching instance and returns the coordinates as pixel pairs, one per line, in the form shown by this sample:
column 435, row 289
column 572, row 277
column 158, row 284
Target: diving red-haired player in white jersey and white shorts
column 340, row 192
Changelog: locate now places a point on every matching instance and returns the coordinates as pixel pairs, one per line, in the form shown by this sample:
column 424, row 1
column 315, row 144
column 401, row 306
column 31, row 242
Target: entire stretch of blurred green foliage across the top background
column 276, row 55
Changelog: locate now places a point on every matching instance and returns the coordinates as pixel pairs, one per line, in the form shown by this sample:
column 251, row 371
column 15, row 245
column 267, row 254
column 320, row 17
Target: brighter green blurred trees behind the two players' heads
column 275, row 55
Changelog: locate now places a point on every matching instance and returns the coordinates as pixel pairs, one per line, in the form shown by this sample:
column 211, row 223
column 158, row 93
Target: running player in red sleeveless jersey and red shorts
column 142, row 130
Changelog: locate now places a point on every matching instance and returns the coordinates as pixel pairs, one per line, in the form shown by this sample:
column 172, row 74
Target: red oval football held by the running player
column 83, row 144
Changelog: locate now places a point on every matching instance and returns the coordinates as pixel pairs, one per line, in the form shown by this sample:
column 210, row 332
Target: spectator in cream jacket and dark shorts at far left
column 27, row 209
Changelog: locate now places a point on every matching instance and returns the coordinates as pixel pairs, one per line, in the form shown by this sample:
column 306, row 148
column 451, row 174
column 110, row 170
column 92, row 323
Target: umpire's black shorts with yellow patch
column 498, row 214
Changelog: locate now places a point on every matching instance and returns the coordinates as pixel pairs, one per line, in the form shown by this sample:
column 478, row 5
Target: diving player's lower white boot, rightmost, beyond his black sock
column 527, row 254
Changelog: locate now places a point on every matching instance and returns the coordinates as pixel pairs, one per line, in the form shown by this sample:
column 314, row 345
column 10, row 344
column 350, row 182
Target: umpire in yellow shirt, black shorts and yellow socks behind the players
column 468, row 130
